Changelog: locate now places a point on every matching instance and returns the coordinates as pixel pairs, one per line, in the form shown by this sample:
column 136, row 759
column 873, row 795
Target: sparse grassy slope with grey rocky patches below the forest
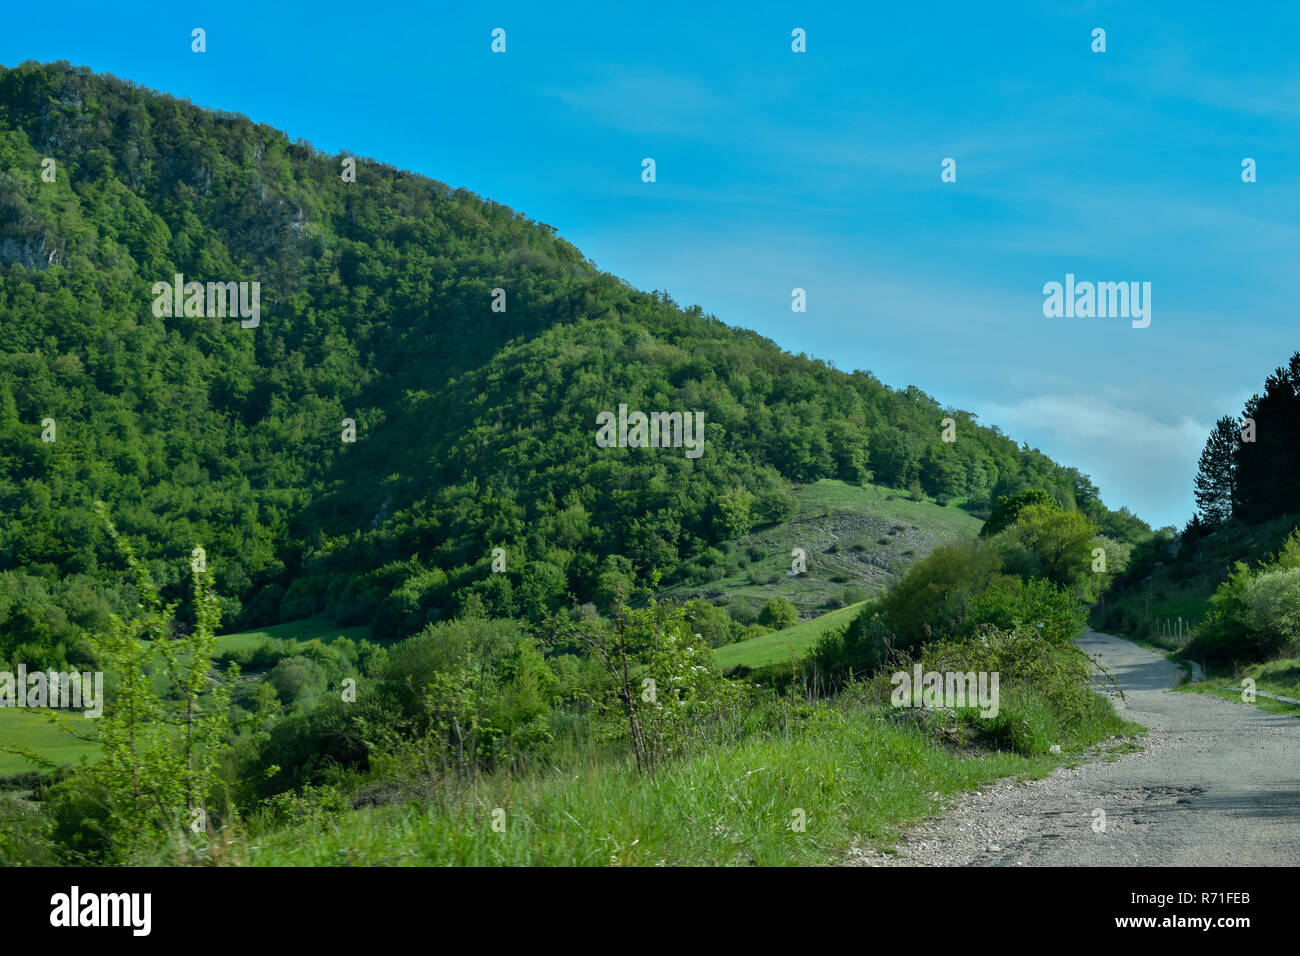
column 857, row 540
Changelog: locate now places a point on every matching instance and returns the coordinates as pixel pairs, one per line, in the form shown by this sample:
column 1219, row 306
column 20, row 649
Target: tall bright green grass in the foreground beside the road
column 856, row 778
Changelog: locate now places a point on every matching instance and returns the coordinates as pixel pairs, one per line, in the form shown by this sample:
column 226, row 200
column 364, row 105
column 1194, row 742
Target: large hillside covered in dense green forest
column 475, row 427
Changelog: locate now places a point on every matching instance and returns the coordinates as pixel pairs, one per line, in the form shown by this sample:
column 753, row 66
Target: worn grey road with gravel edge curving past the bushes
column 1216, row 785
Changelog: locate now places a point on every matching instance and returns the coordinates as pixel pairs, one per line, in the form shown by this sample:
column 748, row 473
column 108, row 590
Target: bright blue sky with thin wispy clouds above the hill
column 822, row 171
